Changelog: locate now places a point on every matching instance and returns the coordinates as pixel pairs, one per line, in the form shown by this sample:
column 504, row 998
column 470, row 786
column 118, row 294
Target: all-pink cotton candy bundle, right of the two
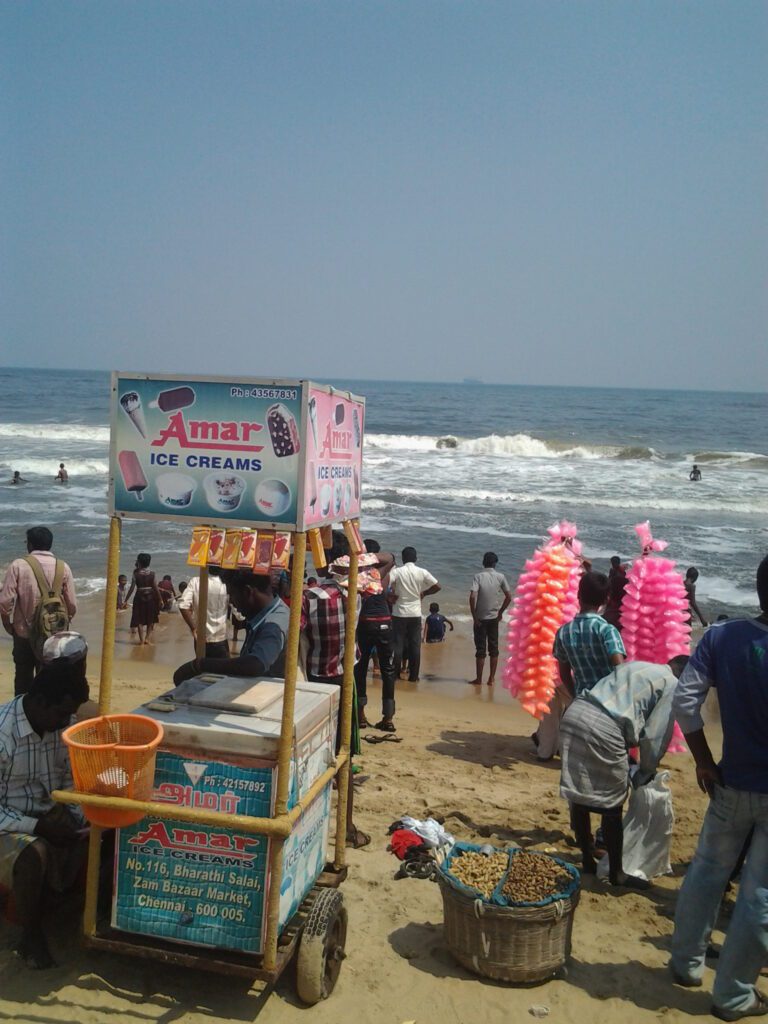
column 655, row 611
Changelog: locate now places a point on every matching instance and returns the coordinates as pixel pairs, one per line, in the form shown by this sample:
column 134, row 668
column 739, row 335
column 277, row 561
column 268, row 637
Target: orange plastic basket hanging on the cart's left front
column 114, row 756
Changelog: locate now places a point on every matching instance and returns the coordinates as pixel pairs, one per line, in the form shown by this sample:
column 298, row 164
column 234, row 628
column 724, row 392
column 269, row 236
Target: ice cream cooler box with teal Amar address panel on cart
column 206, row 886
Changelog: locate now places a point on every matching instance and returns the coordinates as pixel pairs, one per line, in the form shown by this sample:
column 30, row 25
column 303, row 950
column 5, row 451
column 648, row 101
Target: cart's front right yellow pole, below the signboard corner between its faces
column 286, row 744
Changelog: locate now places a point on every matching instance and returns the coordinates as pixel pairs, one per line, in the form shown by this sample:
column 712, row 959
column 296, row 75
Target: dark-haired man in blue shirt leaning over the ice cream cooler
column 267, row 617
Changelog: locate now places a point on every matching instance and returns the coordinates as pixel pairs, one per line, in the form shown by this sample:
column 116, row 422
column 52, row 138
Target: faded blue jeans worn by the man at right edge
column 731, row 817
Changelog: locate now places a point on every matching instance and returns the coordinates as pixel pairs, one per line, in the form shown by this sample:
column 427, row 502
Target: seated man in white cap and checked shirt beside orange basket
column 42, row 845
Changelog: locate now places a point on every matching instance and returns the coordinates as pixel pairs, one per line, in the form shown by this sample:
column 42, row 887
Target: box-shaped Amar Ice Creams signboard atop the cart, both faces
column 235, row 452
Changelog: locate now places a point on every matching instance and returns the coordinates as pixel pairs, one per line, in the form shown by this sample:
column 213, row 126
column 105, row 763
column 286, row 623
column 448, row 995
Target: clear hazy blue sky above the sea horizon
column 526, row 192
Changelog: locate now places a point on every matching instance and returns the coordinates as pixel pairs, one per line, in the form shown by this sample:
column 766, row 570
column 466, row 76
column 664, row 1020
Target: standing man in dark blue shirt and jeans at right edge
column 733, row 657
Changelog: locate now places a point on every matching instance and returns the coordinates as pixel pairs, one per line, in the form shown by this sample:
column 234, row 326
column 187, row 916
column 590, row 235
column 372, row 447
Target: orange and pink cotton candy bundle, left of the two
column 546, row 598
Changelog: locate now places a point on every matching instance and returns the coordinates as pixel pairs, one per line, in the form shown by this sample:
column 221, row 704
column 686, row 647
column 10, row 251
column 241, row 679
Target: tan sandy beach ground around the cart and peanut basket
column 465, row 756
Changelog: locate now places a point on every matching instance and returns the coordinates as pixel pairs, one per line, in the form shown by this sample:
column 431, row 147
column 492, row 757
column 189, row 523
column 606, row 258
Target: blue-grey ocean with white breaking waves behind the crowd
column 525, row 457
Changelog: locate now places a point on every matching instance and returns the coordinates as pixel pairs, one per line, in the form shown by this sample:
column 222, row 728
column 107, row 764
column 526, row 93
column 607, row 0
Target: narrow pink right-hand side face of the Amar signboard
column 334, row 461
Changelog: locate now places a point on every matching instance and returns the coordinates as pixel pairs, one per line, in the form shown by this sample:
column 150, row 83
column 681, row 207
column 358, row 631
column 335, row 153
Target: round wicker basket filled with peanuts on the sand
column 508, row 913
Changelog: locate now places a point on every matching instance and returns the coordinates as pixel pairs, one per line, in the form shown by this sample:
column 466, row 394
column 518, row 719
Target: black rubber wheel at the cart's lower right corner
column 322, row 948
